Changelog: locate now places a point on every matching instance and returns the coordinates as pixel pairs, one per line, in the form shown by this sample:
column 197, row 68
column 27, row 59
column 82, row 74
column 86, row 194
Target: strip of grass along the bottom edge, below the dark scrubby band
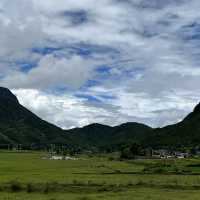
column 134, row 194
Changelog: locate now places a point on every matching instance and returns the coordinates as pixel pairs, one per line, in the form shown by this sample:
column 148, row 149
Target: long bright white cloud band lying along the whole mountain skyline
column 68, row 111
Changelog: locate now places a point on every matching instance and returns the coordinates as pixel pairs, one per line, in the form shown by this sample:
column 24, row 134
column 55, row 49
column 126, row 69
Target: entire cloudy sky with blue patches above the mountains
column 110, row 61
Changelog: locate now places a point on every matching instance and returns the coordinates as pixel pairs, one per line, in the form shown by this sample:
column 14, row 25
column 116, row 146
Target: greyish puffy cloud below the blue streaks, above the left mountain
column 52, row 71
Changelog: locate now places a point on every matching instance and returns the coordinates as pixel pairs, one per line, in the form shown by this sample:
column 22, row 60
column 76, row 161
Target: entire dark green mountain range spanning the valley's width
column 18, row 125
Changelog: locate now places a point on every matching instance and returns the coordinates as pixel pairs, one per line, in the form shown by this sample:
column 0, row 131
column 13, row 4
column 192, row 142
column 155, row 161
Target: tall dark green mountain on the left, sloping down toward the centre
column 19, row 125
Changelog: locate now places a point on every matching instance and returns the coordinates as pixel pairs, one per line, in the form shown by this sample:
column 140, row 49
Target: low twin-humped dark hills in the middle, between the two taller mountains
column 106, row 137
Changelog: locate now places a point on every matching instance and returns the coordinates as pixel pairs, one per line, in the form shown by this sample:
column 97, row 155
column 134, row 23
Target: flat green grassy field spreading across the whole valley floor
column 28, row 176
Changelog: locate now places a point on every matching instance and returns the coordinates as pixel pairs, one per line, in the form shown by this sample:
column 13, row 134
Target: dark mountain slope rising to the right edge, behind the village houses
column 184, row 133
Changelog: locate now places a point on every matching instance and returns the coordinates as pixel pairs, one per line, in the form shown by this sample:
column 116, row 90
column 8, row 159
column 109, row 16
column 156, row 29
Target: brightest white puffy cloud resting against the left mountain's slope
column 64, row 110
